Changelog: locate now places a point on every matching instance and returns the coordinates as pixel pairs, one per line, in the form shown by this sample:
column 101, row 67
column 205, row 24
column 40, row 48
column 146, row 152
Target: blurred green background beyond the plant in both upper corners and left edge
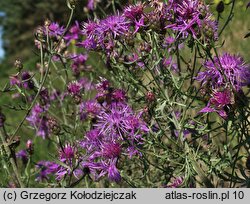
column 21, row 18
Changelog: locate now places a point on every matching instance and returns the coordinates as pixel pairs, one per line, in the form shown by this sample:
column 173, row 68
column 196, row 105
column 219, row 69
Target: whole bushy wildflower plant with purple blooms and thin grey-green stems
column 139, row 97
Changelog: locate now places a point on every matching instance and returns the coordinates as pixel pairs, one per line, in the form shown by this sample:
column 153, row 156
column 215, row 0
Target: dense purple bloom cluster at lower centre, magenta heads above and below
column 117, row 131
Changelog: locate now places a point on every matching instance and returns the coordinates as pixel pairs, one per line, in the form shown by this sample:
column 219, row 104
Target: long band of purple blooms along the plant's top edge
column 186, row 17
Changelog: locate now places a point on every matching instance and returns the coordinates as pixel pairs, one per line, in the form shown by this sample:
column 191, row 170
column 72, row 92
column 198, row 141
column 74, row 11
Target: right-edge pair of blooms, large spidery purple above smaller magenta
column 225, row 75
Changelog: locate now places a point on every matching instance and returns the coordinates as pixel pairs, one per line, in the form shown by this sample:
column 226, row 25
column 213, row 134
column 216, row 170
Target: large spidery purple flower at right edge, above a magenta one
column 233, row 68
